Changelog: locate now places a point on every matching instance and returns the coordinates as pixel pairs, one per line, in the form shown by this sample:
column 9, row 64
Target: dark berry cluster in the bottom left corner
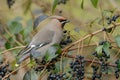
column 4, row 70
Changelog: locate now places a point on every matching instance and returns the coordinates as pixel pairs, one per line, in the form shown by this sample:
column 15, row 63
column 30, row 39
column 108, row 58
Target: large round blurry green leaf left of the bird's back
column 15, row 27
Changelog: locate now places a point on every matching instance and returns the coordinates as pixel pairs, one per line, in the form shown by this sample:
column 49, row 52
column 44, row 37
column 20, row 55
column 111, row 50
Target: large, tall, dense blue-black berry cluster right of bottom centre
column 77, row 68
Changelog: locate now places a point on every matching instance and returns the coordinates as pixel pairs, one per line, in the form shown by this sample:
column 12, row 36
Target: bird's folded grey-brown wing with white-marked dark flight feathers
column 38, row 42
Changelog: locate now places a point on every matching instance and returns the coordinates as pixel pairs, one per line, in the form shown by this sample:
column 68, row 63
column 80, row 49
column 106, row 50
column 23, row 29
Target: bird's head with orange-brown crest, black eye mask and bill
column 60, row 20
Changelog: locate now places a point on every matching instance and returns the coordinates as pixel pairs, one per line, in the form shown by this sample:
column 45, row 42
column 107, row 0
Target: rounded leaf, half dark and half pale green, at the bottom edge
column 30, row 75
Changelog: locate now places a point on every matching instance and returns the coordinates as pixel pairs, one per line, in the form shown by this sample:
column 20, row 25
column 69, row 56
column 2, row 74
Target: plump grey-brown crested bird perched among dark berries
column 49, row 34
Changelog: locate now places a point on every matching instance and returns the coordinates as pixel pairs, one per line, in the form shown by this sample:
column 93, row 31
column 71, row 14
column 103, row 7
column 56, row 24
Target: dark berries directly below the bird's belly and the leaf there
column 51, row 66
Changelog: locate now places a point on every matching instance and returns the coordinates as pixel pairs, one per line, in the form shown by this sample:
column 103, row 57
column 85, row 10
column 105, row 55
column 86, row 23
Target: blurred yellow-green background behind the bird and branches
column 17, row 19
